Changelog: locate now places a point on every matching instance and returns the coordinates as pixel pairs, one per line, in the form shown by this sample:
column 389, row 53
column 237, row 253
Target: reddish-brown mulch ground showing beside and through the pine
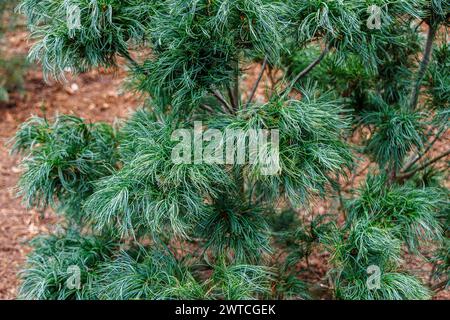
column 95, row 96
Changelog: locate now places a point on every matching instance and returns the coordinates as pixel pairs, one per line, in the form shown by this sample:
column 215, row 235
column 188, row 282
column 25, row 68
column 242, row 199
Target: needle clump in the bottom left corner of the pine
column 51, row 270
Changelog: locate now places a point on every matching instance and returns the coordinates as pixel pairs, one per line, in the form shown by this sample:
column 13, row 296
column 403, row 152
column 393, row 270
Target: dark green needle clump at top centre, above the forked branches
column 197, row 45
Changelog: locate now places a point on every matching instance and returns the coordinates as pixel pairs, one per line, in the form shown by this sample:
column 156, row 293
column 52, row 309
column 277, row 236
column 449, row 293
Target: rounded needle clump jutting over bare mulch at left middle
column 63, row 159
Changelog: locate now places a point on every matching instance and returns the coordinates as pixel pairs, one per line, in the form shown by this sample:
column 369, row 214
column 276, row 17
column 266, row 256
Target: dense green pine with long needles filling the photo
column 138, row 225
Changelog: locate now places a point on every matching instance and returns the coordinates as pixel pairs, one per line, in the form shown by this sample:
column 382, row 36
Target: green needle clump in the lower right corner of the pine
column 380, row 220
